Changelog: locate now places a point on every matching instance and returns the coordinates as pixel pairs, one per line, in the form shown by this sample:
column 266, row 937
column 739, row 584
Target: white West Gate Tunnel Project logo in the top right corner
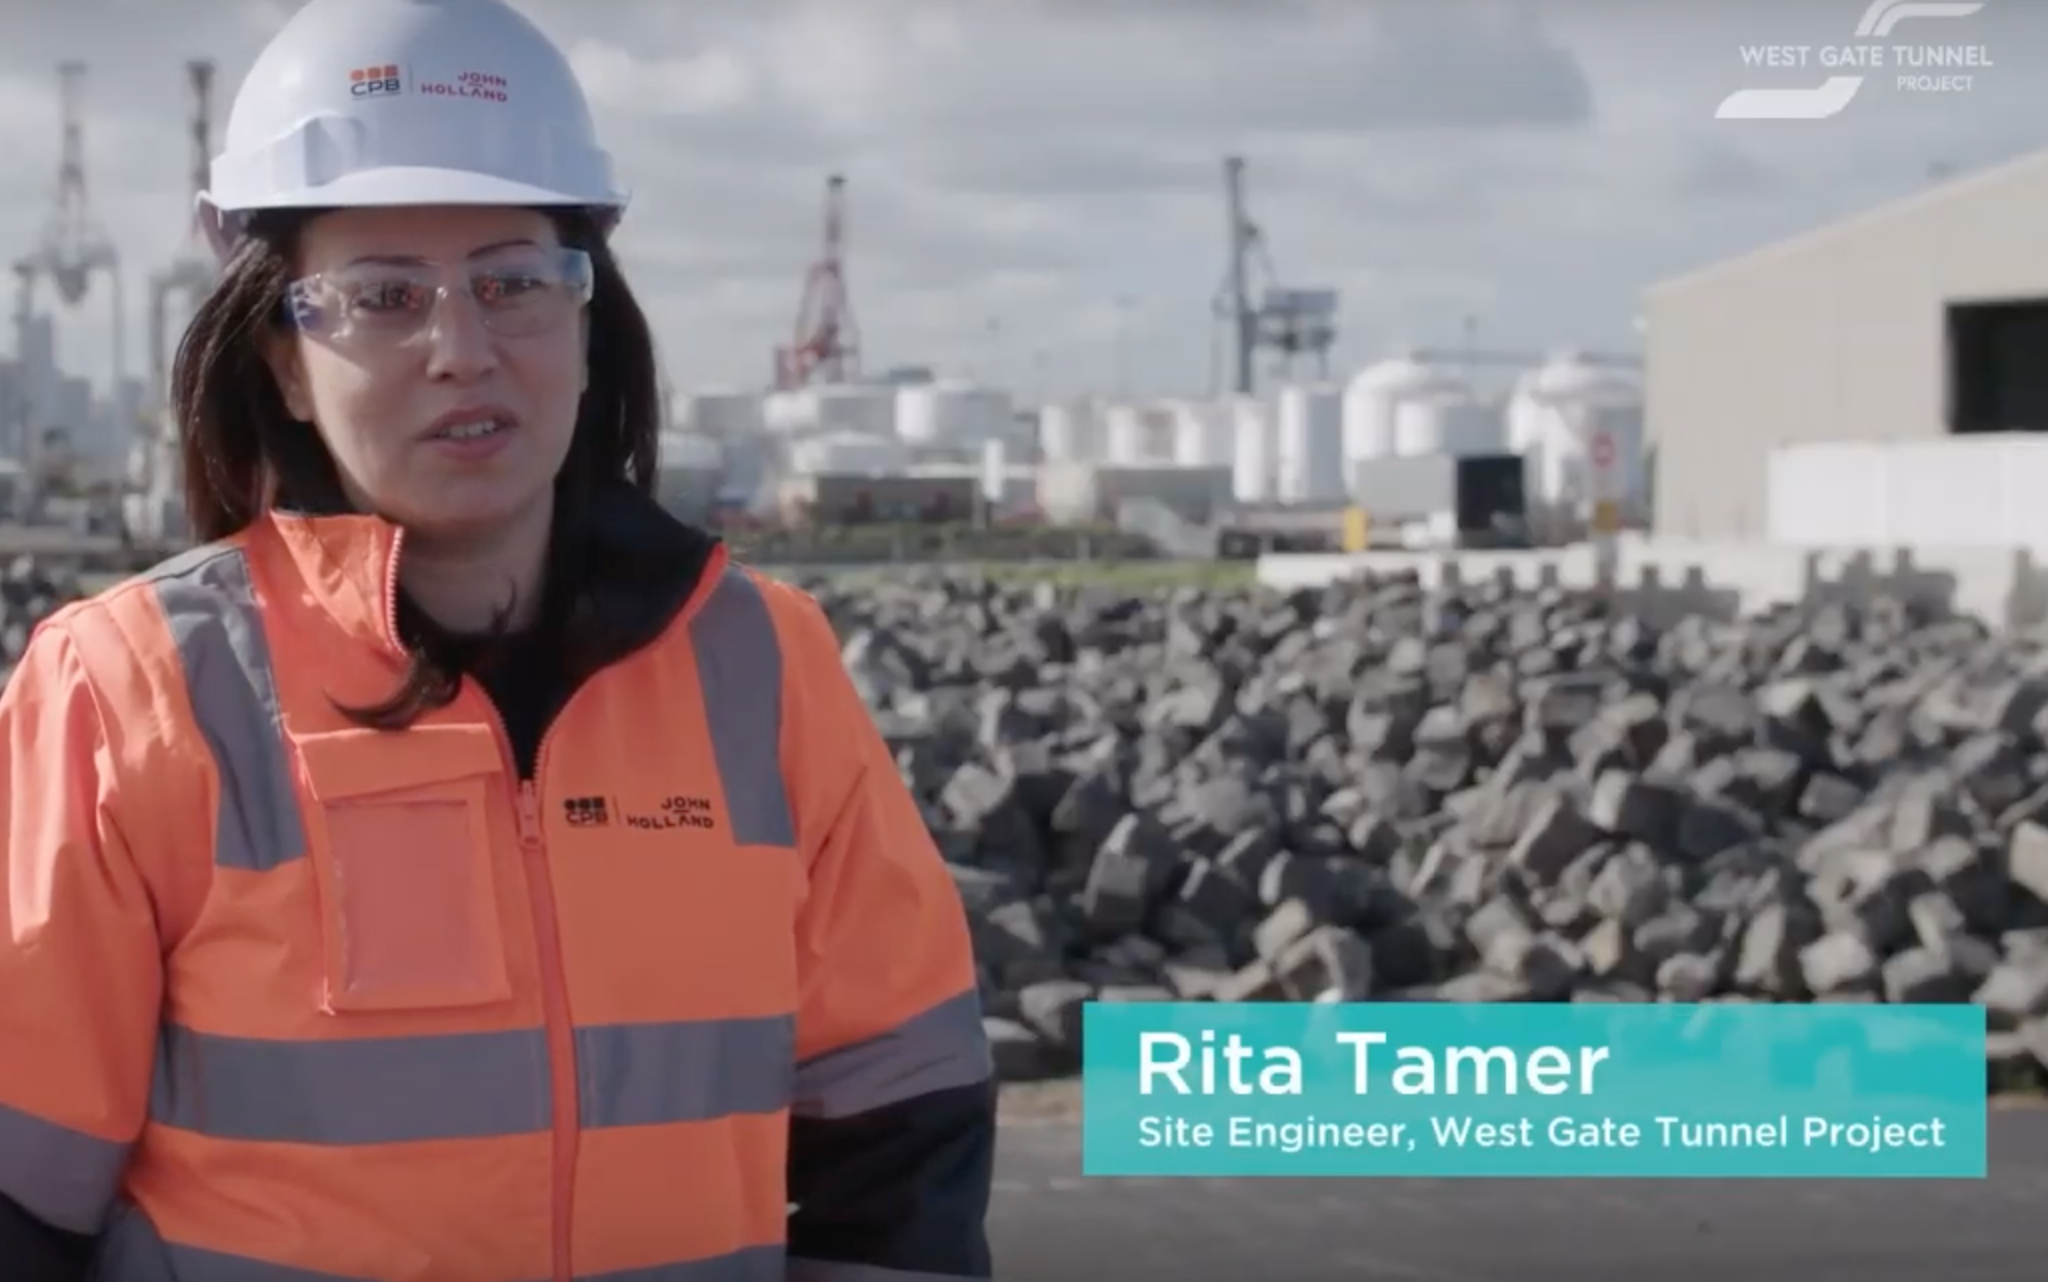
column 1924, row 69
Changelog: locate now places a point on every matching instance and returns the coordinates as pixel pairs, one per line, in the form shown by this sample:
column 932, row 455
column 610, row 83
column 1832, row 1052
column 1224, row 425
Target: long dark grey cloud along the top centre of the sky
column 1390, row 67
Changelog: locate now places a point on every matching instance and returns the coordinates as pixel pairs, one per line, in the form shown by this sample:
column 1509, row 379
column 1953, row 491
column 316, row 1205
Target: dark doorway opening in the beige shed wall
column 1998, row 368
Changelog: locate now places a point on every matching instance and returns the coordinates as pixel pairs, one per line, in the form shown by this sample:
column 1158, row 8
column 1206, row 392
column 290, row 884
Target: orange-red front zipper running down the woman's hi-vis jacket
column 554, row 990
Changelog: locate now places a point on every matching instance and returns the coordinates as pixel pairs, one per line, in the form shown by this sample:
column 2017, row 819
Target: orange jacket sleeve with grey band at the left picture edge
column 81, row 968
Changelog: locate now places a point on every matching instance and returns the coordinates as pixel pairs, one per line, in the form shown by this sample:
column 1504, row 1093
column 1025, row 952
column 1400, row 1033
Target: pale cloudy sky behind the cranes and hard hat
column 1037, row 185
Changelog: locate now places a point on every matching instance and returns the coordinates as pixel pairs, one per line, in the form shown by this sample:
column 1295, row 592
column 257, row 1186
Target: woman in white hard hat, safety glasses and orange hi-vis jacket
column 456, row 869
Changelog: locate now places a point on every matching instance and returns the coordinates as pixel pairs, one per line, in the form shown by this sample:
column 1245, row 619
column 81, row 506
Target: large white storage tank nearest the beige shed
column 1555, row 419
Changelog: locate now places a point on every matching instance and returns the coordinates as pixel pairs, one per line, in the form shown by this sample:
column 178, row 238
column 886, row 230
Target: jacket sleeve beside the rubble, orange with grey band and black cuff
column 894, row 1119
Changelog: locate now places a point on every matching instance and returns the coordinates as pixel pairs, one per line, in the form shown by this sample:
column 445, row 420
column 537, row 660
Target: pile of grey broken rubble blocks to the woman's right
column 1379, row 792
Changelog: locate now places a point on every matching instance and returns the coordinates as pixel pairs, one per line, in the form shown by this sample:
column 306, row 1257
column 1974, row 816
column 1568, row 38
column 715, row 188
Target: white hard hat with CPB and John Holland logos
column 409, row 103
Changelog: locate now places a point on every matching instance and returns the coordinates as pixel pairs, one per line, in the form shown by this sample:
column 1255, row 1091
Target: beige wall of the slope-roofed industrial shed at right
column 1920, row 320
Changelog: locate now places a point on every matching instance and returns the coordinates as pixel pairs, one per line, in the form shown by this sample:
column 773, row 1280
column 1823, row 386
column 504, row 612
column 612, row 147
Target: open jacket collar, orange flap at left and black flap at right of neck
column 634, row 562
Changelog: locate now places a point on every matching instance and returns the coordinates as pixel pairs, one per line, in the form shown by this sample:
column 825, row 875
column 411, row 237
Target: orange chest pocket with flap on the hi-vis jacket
column 398, row 830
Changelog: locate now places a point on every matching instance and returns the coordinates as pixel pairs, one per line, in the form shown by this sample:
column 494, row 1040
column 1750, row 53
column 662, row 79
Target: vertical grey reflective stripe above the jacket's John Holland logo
column 740, row 669
